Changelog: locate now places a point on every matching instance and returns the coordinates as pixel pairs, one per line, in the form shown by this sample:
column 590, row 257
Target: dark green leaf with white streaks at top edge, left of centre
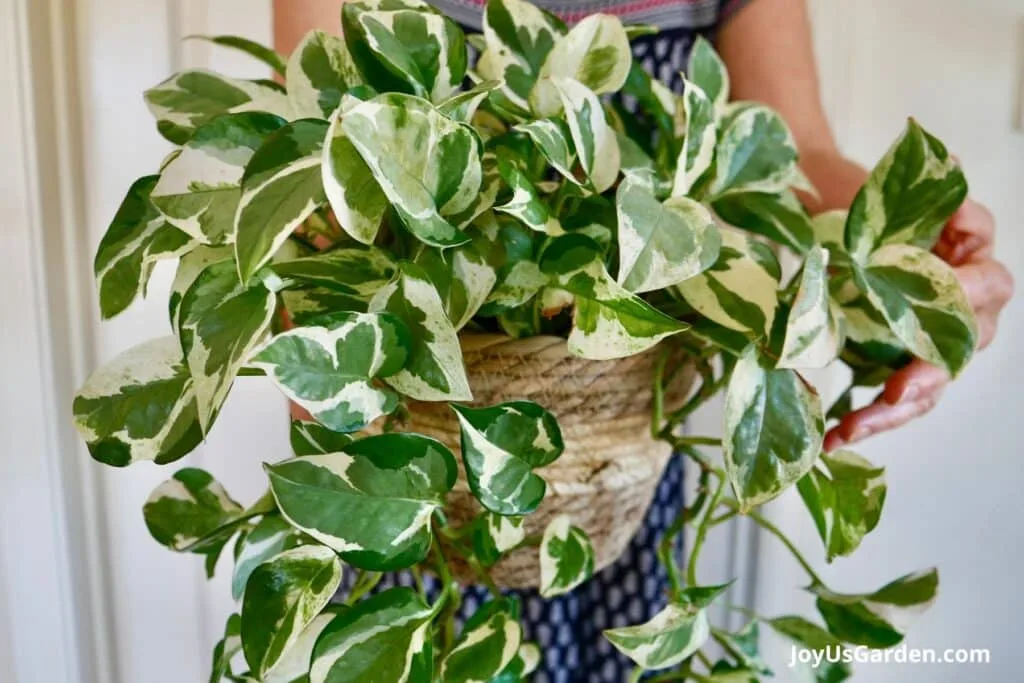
column 417, row 52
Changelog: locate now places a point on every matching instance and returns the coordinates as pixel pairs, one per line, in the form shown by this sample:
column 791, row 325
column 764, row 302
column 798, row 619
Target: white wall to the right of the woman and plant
column 955, row 477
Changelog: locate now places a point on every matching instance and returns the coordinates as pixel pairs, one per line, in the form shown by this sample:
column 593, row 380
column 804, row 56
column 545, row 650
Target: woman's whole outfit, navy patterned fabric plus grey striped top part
column 635, row 588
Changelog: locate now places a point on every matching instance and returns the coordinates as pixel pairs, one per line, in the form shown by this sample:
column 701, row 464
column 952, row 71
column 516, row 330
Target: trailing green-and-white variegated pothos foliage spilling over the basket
column 340, row 230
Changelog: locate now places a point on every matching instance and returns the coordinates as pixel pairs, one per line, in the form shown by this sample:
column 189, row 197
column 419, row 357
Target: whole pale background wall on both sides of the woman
column 87, row 596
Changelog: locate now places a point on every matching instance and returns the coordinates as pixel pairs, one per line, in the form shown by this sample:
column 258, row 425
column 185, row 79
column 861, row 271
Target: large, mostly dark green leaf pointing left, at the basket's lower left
column 371, row 503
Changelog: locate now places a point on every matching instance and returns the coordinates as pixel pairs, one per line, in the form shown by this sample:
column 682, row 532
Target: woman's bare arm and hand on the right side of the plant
column 767, row 48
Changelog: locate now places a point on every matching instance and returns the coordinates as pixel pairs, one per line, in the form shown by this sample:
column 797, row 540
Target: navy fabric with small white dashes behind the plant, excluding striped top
column 635, row 588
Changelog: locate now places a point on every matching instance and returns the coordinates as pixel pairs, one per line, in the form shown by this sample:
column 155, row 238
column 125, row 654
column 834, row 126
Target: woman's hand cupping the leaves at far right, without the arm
column 967, row 245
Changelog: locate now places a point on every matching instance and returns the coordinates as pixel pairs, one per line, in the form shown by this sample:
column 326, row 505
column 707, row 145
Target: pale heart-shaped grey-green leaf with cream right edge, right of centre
column 662, row 244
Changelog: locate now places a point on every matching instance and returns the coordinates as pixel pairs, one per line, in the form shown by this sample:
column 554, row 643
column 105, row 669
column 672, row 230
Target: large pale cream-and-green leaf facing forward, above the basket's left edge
column 429, row 165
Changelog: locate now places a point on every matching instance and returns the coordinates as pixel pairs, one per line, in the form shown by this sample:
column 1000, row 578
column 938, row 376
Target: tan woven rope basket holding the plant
column 608, row 476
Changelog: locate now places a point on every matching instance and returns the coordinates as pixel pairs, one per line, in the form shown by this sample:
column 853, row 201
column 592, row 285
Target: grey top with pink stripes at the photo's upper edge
column 700, row 16
